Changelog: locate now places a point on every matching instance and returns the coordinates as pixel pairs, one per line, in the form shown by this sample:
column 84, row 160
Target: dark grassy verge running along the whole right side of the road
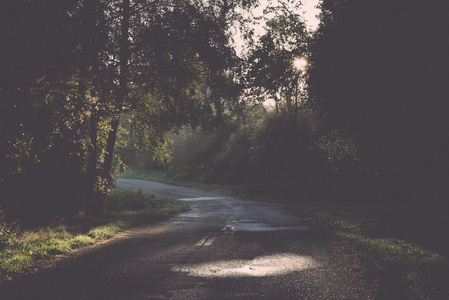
column 405, row 270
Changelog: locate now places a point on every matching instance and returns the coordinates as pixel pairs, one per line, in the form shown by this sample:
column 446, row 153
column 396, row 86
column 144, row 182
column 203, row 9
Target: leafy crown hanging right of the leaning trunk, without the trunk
column 181, row 71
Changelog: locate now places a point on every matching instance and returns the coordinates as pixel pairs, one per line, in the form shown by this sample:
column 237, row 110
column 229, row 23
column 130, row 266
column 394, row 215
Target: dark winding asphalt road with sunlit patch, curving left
column 223, row 248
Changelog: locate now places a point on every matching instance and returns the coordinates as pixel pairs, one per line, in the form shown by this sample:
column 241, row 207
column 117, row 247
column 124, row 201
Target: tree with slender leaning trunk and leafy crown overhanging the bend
column 172, row 56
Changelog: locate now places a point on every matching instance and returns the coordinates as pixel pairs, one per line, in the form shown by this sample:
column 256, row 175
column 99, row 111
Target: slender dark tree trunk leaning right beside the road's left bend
column 121, row 99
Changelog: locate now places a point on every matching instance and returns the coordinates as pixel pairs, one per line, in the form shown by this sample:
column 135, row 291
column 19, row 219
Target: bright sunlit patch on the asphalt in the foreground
column 278, row 264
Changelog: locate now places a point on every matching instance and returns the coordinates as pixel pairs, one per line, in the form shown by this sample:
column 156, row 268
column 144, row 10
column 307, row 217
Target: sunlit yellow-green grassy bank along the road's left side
column 20, row 249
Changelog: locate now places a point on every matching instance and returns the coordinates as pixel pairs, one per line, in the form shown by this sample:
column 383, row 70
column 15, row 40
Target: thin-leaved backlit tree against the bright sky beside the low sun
column 272, row 72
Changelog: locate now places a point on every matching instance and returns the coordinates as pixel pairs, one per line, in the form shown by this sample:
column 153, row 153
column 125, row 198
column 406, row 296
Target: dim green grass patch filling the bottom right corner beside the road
column 418, row 272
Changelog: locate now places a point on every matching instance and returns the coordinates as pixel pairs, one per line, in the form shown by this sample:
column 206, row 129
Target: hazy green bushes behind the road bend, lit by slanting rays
column 261, row 150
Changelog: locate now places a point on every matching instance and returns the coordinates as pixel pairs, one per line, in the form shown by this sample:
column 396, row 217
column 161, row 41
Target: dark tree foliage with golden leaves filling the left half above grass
column 71, row 69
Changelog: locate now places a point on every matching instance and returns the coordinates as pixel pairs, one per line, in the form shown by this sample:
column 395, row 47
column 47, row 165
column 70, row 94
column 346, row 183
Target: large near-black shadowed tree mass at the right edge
column 378, row 70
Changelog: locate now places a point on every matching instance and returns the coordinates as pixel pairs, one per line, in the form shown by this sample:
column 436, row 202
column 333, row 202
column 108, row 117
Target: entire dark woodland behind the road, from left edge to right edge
column 357, row 110
